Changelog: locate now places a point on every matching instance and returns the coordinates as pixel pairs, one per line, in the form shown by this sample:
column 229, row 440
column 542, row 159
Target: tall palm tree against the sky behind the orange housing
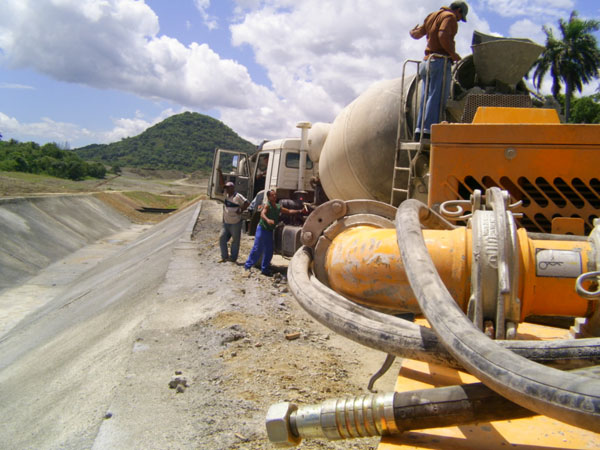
column 573, row 60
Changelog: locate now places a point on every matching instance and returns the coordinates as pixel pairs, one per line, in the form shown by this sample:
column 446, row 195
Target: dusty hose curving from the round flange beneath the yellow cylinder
column 405, row 339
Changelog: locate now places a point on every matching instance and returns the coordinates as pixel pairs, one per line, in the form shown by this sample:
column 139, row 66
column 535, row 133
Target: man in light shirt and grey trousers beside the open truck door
column 235, row 204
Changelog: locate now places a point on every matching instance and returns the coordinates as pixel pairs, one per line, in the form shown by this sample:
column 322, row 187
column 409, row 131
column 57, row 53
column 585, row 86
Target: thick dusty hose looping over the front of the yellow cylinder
column 567, row 397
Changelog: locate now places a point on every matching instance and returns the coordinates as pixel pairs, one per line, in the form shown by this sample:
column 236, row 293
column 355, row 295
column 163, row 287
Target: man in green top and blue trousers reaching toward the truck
column 263, row 240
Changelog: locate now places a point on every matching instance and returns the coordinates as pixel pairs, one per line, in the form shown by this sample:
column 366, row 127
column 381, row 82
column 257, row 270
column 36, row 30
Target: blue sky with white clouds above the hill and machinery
column 78, row 72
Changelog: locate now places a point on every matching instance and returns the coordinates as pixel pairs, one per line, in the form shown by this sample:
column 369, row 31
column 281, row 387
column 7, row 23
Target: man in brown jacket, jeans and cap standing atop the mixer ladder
column 440, row 27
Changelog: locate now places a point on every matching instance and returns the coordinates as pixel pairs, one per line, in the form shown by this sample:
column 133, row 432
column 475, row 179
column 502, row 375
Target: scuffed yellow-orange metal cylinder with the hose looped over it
column 364, row 264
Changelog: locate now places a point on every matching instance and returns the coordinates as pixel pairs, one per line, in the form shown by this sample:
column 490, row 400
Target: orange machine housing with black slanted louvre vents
column 551, row 167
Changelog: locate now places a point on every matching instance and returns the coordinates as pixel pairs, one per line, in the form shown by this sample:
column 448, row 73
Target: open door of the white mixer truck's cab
column 228, row 165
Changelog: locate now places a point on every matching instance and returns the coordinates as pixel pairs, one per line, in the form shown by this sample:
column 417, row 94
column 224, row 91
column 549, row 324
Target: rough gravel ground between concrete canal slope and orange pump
column 249, row 362
